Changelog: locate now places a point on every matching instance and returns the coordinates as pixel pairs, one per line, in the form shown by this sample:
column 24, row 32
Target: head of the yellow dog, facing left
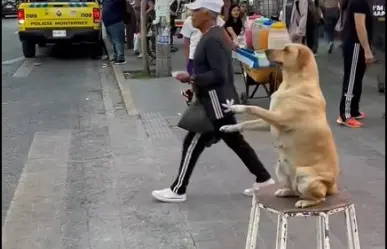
column 294, row 57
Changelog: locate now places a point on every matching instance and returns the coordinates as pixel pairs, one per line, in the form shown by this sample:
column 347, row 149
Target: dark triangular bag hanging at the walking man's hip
column 195, row 119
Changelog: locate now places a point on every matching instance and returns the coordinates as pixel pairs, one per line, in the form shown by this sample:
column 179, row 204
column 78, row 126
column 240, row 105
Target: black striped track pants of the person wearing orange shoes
column 352, row 53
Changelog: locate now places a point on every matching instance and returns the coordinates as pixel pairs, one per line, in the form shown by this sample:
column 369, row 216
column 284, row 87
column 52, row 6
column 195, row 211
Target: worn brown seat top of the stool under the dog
column 266, row 198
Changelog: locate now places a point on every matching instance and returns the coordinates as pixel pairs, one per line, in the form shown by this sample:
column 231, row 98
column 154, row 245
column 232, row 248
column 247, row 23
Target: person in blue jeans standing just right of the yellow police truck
column 114, row 17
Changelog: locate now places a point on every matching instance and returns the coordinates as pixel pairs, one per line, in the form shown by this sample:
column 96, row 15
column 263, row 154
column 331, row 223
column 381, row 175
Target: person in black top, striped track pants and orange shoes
column 357, row 35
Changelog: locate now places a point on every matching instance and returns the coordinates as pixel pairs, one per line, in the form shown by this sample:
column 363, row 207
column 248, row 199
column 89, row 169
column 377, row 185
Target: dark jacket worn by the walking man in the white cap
column 214, row 74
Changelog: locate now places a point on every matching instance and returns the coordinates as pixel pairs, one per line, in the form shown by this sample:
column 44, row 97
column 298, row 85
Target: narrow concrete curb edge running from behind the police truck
column 126, row 93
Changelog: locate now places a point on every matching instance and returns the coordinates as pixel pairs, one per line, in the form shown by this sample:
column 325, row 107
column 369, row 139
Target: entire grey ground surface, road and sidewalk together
column 78, row 170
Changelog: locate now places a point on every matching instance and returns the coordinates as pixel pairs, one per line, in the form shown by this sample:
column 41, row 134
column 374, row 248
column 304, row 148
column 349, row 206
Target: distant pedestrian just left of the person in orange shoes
column 331, row 17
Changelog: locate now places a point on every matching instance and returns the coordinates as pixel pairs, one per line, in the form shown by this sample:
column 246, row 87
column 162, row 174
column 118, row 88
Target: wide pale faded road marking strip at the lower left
column 33, row 215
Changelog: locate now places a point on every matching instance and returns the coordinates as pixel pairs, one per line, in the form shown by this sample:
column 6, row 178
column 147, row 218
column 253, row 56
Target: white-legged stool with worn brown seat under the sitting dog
column 284, row 208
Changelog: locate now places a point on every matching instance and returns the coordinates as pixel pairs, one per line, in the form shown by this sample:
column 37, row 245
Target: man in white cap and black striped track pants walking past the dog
column 213, row 85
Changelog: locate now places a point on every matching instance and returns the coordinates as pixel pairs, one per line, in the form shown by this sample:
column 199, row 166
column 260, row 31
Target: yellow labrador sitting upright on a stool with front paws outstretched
column 308, row 163
